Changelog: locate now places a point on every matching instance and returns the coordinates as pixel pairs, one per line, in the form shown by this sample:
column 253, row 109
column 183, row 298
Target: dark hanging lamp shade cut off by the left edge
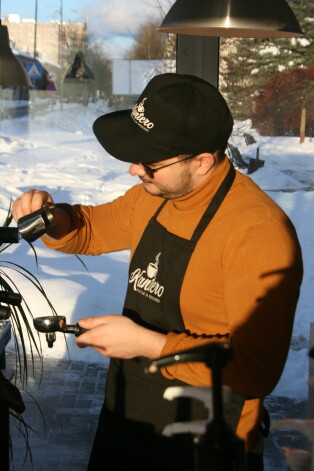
column 12, row 71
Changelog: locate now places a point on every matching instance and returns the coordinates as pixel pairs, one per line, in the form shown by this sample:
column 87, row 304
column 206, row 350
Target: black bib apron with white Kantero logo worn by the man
column 135, row 413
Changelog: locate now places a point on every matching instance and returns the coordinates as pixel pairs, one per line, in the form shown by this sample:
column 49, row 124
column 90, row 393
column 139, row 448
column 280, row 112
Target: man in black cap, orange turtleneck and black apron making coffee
column 213, row 259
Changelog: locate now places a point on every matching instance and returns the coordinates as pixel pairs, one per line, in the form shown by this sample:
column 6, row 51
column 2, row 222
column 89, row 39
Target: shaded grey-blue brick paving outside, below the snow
column 70, row 396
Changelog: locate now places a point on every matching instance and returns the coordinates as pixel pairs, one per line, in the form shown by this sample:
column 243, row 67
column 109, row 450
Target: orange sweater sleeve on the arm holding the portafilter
column 262, row 273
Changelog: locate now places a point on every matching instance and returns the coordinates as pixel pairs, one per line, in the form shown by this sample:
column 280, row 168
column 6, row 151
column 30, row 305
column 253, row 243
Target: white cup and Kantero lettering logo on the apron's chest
column 144, row 281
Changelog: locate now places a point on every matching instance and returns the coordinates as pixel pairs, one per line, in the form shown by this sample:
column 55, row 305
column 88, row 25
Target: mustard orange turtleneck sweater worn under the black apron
column 243, row 278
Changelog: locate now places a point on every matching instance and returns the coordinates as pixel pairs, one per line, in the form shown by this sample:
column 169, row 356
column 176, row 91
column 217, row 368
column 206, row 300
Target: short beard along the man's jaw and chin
column 172, row 190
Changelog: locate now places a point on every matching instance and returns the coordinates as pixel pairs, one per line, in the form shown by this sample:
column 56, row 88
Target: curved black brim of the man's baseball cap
column 120, row 137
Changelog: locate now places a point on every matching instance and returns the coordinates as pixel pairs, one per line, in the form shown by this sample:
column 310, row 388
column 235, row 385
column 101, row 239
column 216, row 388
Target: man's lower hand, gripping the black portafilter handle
column 117, row 336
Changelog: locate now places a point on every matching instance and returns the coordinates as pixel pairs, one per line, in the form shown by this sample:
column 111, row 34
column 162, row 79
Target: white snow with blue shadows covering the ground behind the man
column 57, row 152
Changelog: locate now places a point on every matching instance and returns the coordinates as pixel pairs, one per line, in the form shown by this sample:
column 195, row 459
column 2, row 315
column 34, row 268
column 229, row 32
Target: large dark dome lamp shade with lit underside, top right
column 232, row 18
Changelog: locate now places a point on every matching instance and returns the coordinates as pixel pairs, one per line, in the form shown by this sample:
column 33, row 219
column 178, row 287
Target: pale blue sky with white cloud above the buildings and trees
column 114, row 22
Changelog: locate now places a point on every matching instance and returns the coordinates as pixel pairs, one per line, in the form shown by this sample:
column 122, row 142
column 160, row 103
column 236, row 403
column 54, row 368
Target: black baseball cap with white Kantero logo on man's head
column 175, row 114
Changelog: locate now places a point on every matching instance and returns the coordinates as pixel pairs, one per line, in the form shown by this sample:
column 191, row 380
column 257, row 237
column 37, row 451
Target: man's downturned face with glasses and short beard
column 170, row 182
